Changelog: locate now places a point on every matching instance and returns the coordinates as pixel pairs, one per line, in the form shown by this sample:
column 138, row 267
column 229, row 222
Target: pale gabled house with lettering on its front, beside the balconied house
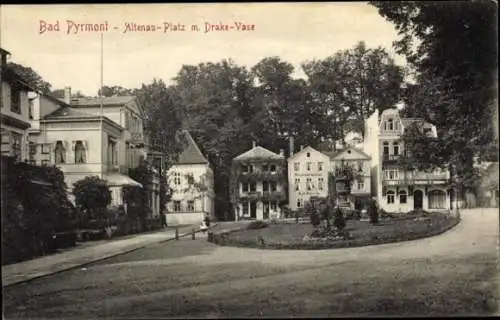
column 307, row 177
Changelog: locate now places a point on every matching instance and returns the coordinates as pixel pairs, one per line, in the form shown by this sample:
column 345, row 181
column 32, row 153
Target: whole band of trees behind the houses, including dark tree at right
column 451, row 54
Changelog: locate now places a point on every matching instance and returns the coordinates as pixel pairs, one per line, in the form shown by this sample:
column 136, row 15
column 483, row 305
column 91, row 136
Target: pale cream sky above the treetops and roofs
column 70, row 55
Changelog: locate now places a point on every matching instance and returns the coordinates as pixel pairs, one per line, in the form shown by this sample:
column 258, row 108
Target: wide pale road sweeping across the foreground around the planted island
column 450, row 274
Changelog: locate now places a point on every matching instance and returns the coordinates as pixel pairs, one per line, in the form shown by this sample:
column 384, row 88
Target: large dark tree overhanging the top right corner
column 452, row 48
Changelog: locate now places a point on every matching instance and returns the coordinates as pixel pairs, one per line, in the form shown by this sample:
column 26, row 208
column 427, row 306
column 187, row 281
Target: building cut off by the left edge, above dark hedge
column 14, row 106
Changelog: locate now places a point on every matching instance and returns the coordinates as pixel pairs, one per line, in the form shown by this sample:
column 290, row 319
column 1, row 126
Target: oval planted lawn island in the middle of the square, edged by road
column 291, row 236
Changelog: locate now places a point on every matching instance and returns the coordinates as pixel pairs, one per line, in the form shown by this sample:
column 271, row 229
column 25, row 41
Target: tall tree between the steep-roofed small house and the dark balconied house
column 215, row 98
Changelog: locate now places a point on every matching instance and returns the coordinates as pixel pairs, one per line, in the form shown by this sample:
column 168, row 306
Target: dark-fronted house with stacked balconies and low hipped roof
column 258, row 184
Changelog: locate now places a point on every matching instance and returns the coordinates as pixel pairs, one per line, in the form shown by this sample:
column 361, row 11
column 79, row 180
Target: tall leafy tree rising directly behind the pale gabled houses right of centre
column 351, row 84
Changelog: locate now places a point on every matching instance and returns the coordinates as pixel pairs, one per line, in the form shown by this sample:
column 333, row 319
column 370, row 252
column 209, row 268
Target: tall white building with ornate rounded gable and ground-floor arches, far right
column 396, row 189
